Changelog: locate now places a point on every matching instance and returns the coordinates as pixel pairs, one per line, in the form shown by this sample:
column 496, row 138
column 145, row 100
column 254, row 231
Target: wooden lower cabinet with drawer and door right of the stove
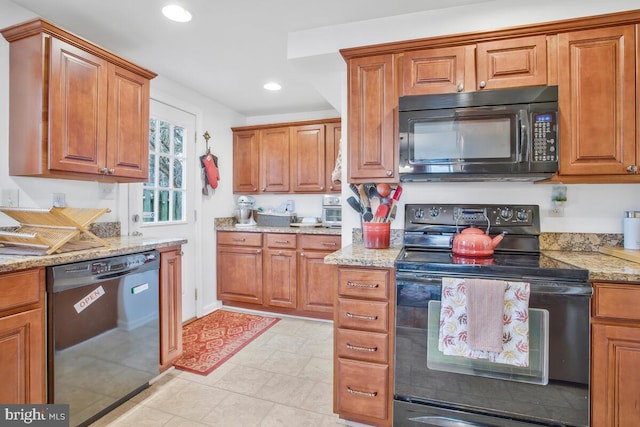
column 615, row 358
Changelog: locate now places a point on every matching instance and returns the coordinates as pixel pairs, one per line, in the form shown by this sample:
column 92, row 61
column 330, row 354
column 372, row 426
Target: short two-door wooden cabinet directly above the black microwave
column 488, row 65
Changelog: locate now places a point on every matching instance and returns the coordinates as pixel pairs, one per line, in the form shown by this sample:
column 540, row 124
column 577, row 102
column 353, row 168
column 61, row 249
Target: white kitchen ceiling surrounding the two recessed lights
column 230, row 48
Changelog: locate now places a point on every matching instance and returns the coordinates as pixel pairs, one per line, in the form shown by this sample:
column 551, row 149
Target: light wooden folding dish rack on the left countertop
column 54, row 230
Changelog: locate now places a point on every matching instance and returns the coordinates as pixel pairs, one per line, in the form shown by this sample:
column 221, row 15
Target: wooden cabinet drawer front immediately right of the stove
column 617, row 301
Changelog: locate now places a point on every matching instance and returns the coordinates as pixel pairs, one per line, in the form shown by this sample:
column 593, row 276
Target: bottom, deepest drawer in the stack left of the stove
column 362, row 388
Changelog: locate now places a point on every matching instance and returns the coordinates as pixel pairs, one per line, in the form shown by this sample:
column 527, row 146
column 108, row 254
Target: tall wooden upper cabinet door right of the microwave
column 597, row 95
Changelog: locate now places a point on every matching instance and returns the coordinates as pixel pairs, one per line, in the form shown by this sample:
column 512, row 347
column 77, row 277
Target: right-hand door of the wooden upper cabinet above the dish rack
column 128, row 118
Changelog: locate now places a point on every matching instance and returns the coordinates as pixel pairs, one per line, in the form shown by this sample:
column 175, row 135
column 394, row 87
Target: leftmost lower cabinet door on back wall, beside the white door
column 239, row 274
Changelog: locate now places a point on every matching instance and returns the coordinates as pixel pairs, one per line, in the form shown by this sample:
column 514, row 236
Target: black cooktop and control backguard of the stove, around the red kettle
column 430, row 228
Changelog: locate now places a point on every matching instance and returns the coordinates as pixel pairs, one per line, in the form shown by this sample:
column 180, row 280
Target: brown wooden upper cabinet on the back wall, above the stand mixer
column 286, row 157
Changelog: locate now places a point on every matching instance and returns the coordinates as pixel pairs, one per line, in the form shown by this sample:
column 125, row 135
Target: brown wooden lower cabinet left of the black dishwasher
column 22, row 337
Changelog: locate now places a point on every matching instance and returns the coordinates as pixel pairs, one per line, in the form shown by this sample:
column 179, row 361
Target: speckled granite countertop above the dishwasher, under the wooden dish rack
column 118, row 246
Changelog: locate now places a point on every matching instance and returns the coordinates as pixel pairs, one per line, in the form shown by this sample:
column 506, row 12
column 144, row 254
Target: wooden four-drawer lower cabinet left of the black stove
column 363, row 337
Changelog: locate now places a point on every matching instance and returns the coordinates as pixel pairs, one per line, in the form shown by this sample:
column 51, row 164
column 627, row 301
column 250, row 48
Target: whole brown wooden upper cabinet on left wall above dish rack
column 77, row 110
